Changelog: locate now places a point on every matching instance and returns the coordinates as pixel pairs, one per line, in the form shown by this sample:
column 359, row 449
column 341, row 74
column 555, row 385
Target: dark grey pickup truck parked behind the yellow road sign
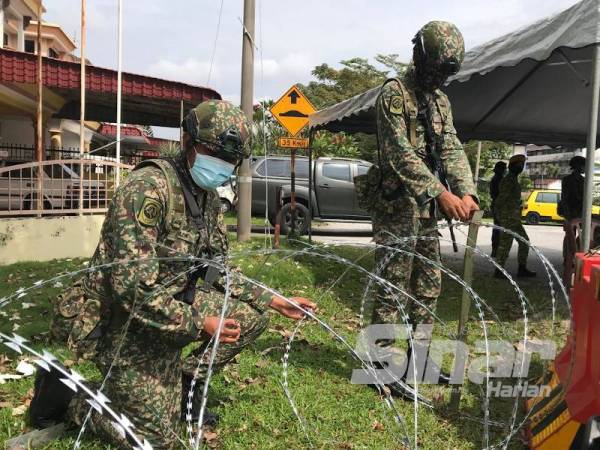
column 333, row 195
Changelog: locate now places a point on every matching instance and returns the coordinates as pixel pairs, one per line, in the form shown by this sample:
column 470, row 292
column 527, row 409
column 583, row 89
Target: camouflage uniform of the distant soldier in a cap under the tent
column 508, row 211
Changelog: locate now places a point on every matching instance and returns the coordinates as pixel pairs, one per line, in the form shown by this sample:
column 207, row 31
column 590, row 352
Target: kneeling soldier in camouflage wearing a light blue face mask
column 148, row 299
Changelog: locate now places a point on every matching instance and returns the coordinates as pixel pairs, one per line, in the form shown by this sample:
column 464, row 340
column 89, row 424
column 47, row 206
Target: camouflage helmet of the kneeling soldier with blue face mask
column 222, row 127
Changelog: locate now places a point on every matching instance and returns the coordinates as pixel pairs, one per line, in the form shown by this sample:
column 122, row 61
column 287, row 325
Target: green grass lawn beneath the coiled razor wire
column 255, row 413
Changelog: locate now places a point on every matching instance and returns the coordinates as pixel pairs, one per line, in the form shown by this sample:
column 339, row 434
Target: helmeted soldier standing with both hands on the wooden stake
column 418, row 147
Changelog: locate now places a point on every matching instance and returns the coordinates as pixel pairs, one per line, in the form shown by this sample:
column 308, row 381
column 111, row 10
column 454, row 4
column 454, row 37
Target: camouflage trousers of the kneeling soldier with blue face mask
column 145, row 381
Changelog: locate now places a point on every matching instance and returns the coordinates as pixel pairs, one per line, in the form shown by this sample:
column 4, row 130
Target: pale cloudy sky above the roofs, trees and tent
column 175, row 40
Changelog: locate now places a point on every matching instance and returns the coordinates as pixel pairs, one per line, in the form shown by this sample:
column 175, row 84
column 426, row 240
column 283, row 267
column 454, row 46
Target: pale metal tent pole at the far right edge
column 591, row 152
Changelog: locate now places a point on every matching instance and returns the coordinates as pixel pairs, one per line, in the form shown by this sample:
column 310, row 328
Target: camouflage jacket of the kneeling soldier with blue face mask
column 149, row 233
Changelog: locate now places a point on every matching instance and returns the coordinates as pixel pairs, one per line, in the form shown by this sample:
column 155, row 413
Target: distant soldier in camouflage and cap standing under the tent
column 508, row 209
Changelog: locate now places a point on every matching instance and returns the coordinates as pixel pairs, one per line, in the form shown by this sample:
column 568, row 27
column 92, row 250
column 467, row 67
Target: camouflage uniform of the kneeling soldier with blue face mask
column 148, row 220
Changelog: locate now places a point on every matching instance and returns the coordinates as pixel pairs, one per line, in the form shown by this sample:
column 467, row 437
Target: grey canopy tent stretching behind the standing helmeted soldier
column 538, row 84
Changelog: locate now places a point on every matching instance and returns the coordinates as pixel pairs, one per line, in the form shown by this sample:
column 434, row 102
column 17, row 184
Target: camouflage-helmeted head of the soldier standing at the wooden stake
column 439, row 52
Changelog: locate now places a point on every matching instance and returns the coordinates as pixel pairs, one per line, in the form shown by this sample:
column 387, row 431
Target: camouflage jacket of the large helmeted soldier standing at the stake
column 402, row 147
